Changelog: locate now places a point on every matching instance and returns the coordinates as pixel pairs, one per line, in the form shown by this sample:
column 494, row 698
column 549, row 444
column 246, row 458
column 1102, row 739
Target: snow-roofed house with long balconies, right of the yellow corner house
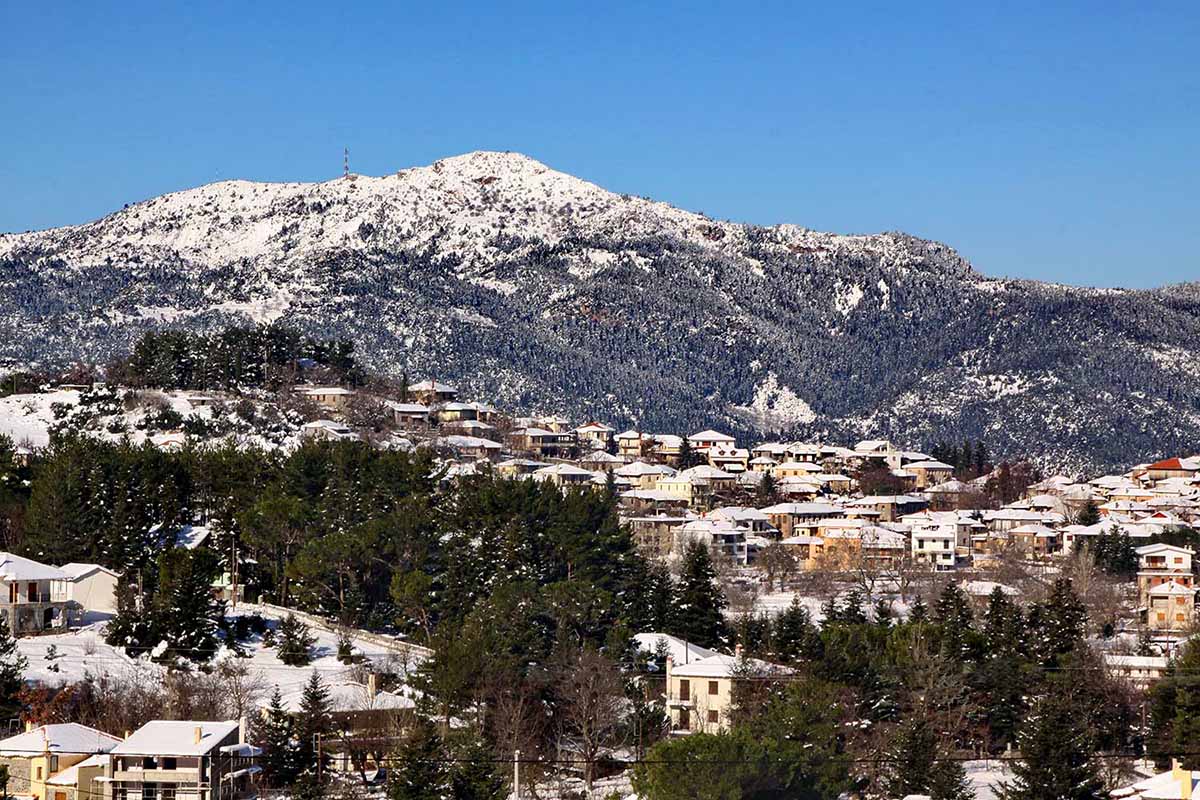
column 176, row 760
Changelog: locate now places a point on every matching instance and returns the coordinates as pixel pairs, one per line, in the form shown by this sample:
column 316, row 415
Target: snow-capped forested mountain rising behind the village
column 547, row 292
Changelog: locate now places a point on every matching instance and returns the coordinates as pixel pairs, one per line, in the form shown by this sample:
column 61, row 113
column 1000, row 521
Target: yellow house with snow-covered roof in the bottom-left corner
column 39, row 756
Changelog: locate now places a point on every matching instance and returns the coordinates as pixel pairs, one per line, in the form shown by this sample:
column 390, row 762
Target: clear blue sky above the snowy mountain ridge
column 1048, row 141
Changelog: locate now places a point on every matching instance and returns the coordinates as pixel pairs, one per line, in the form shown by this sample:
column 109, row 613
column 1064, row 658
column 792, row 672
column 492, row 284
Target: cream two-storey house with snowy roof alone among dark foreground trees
column 700, row 693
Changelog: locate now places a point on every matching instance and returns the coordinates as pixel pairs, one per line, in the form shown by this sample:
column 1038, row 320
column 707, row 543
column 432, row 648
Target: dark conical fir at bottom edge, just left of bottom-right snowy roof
column 1057, row 755
